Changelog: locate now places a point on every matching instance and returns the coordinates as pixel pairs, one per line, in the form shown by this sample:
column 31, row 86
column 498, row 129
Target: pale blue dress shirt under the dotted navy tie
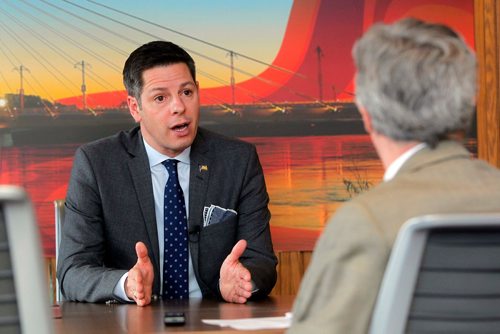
column 159, row 177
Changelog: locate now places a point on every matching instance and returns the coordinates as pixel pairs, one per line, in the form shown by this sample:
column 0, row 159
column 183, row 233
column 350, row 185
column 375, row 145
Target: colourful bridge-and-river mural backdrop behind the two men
column 278, row 74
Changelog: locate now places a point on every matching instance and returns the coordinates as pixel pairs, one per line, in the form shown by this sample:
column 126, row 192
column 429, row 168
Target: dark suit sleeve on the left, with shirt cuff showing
column 80, row 269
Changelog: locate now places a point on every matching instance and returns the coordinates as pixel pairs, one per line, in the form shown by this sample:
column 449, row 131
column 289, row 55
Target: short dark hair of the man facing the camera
column 152, row 54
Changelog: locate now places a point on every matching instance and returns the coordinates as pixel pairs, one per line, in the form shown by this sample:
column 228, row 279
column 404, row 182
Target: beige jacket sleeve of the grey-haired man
column 340, row 286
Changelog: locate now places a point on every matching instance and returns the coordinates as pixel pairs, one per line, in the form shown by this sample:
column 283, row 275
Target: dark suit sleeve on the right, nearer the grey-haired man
column 253, row 226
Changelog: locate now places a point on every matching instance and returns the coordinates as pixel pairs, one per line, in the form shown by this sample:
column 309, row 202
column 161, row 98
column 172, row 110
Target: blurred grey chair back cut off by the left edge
column 24, row 302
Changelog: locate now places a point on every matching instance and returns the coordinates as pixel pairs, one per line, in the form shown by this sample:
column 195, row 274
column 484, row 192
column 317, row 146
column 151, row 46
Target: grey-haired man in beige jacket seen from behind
column 415, row 89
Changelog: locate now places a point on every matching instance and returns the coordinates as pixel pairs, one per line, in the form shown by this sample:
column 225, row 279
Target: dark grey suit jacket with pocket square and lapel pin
column 110, row 206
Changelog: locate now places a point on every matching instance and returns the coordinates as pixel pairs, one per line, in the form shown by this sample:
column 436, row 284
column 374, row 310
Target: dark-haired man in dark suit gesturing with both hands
column 114, row 241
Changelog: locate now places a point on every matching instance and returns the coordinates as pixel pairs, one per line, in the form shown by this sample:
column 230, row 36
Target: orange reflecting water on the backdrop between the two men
column 307, row 177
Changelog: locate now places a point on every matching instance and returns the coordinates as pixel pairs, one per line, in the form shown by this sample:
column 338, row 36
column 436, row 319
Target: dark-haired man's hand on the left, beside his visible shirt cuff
column 139, row 283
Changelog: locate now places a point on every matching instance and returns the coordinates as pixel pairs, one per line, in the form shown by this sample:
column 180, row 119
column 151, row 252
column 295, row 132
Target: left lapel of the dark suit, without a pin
column 141, row 177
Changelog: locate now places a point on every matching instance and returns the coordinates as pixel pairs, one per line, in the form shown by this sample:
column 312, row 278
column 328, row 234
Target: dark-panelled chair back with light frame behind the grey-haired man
column 443, row 275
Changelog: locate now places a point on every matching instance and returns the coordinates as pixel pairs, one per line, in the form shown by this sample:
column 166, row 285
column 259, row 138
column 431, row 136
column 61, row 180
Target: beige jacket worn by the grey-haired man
column 340, row 287
